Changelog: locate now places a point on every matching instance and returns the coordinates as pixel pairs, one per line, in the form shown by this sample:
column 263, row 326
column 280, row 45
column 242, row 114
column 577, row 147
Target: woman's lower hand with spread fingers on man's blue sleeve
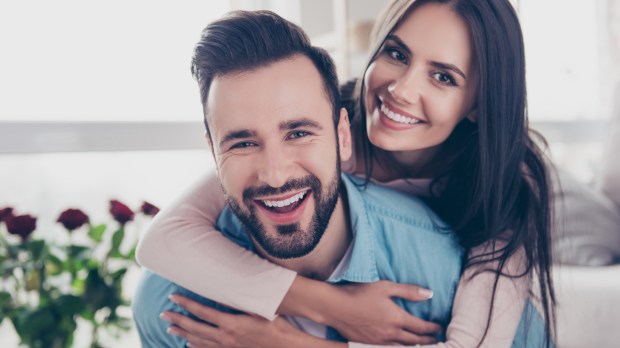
column 236, row 330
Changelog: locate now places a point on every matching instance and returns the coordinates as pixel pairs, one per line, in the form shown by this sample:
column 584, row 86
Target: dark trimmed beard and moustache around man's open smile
column 290, row 240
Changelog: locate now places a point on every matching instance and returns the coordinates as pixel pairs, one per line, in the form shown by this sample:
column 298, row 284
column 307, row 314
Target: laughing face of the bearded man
column 276, row 151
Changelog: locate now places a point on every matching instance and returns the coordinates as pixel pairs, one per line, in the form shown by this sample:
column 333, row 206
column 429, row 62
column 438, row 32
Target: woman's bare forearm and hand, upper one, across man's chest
column 362, row 313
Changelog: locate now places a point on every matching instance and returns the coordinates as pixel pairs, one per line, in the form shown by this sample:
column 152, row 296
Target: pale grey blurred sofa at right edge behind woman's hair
column 587, row 273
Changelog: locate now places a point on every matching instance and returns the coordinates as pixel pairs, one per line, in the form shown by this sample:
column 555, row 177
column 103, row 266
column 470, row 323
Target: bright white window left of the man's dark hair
column 71, row 60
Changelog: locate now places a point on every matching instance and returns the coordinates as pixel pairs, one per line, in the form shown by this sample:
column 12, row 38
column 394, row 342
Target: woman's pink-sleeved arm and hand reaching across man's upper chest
column 183, row 246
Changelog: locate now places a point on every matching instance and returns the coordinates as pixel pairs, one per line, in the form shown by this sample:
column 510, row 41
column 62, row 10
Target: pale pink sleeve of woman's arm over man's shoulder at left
column 182, row 245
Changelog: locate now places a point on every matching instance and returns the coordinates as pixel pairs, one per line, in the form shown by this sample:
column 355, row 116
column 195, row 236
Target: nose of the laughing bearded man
column 276, row 167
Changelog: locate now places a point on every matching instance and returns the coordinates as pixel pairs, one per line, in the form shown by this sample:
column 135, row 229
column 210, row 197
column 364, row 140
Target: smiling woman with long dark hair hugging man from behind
column 441, row 114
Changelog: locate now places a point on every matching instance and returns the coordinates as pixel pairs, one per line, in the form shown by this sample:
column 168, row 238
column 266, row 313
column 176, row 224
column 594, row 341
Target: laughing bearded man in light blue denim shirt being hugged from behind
column 277, row 135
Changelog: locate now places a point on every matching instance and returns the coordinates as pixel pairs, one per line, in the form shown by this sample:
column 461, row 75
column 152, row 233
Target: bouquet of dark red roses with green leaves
column 46, row 287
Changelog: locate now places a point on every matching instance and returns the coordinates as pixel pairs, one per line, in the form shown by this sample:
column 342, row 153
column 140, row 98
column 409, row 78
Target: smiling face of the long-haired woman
column 422, row 83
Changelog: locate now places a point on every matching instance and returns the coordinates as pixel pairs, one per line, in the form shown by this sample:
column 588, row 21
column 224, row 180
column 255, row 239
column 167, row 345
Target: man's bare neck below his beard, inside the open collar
column 323, row 260
